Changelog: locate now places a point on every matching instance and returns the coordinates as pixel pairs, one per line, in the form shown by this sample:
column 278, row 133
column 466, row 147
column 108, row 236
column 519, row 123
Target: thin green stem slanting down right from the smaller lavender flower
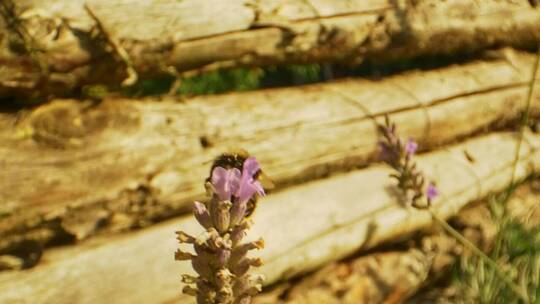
column 482, row 255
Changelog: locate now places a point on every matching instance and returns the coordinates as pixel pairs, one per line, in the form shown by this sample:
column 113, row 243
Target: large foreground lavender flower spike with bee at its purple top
column 220, row 258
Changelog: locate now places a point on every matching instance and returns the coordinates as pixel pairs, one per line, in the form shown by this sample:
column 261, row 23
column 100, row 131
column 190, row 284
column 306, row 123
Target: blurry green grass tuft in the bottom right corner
column 516, row 250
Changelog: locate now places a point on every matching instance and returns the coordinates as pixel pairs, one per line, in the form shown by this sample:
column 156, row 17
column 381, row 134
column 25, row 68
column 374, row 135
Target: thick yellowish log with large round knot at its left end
column 73, row 168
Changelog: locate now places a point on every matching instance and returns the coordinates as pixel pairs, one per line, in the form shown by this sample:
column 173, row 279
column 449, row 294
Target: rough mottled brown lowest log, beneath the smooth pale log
column 396, row 275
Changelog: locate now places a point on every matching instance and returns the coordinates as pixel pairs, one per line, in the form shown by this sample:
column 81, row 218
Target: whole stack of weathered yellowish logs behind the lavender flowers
column 113, row 179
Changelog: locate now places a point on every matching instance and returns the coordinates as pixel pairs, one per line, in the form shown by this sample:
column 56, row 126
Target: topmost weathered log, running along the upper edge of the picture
column 53, row 48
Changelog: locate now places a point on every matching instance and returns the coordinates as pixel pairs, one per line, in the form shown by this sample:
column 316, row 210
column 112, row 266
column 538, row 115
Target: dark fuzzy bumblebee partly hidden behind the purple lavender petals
column 236, row 159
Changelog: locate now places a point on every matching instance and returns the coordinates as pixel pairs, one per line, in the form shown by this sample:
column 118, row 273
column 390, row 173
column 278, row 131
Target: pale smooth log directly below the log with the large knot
column 304, row 227
